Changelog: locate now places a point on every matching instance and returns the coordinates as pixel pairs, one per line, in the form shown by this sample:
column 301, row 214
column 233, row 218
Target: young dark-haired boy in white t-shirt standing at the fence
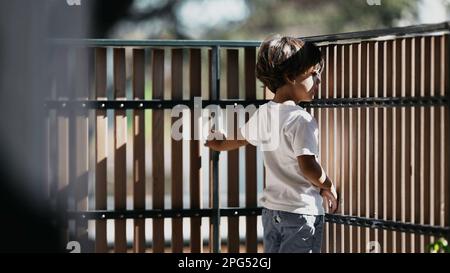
column 295, row 182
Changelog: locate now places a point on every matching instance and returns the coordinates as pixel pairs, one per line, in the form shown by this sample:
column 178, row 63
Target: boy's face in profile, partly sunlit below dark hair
column 306, row 85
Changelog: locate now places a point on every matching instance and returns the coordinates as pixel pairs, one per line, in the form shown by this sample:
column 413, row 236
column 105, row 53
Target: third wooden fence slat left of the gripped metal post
column 158, row 148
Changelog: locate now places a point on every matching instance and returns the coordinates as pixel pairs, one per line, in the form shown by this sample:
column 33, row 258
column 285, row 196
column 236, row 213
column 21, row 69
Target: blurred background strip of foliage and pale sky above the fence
column 244, row 19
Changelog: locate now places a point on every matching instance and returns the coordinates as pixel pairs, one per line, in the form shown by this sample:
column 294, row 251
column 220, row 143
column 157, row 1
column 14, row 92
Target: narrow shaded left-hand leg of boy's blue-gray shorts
column 272, row 236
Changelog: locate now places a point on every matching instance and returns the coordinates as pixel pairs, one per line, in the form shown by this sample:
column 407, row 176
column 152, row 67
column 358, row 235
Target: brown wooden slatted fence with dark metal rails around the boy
column 383, row 116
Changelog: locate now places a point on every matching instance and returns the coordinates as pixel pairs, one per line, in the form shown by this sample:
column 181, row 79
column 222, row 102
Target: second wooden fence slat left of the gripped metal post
column 177, row 154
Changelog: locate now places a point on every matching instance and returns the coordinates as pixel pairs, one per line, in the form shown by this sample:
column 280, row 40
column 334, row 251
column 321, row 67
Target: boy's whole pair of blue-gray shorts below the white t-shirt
column 286, row 232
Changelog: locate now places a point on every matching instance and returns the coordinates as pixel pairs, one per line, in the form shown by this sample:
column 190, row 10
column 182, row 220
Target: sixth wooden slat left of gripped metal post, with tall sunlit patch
column 101, row 128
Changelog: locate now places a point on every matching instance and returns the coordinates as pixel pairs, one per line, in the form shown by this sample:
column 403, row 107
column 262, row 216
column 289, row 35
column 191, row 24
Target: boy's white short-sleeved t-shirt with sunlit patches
column 284, row 131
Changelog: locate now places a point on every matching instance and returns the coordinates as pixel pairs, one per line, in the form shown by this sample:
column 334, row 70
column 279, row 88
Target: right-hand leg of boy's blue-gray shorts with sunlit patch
column 301, row 233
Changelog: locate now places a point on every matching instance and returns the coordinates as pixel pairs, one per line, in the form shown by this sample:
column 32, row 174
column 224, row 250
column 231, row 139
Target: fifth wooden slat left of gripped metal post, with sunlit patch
column 120, row 132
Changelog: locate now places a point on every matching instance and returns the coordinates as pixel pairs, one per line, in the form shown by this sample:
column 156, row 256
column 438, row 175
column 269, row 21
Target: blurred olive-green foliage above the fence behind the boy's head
column 315, row 17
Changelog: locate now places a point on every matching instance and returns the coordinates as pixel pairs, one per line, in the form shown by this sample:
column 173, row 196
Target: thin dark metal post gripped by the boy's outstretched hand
column 214, row 156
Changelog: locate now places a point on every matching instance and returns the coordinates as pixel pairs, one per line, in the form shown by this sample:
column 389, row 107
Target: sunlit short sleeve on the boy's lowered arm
column 304, row 136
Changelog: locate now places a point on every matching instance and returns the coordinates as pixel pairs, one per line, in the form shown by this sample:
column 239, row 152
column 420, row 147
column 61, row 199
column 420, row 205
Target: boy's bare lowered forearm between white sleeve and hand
column 314, row 172
